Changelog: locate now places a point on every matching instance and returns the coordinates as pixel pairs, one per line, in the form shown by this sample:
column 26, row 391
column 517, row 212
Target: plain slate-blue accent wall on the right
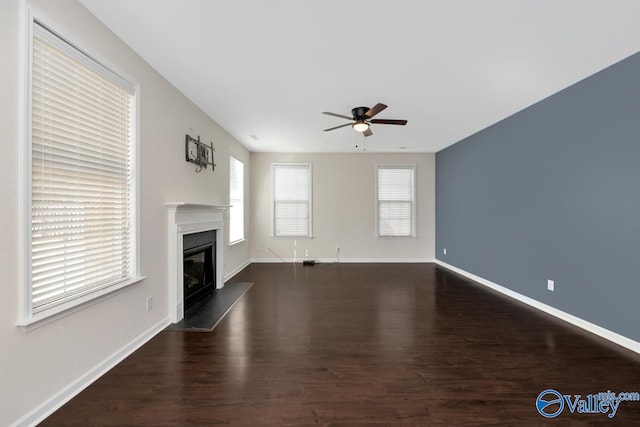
column 553, row 192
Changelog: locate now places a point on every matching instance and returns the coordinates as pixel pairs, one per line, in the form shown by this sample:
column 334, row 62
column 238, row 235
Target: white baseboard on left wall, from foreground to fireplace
column 56, row 401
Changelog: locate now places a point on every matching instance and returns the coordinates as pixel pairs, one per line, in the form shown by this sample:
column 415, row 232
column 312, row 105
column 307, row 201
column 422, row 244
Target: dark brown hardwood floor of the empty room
column 361, row 344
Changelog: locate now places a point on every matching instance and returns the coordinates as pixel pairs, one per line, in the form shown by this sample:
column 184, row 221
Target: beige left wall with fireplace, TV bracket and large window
column 79, row 343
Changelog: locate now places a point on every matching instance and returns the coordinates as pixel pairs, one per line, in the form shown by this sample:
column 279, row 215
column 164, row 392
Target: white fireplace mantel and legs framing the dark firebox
column 187, row 218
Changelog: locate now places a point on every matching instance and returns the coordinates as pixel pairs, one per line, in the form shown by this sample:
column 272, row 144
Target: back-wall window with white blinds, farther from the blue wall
column 291, row 200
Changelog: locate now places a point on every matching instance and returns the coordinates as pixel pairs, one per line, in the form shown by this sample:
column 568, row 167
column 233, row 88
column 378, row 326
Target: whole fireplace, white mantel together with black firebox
column 204, row 223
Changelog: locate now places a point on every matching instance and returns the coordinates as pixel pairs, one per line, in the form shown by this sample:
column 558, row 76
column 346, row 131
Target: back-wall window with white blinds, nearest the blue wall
column 396, row 201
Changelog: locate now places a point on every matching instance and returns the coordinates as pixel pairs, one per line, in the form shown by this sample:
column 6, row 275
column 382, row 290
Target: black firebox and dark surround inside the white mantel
column 198, row 265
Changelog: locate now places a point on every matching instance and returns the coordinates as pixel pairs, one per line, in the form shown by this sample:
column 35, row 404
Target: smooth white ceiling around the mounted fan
column 266, row 69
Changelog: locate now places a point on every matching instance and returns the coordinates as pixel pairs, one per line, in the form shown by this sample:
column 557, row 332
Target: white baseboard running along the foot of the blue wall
column 569, row 318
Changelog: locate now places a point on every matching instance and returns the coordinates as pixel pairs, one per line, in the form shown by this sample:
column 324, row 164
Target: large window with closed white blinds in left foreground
column 81, row 139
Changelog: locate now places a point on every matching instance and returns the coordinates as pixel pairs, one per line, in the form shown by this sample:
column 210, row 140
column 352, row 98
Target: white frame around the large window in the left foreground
column 27, row 318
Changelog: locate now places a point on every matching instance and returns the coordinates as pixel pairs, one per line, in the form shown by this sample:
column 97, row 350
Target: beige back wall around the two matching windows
column 343, row 209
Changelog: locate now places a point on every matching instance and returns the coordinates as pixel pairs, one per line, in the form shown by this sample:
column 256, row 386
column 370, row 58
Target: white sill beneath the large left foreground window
column 37, row 320
